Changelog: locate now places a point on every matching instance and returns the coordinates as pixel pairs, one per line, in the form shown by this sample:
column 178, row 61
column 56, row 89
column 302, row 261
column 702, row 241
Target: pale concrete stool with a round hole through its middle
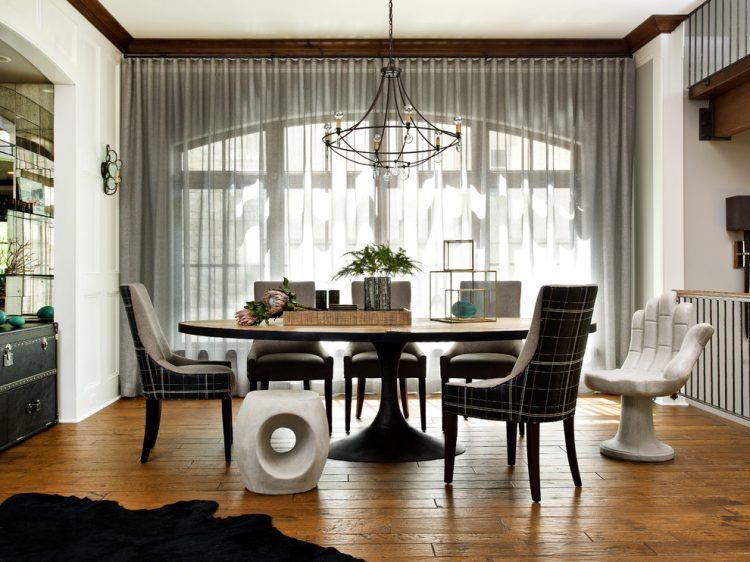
column 267, row 471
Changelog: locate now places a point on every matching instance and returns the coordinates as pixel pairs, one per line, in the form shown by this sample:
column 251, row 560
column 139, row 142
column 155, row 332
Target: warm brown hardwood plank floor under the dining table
column 697, row 505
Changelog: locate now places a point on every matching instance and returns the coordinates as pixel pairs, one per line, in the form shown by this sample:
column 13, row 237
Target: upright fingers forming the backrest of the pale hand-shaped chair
column 657, row 332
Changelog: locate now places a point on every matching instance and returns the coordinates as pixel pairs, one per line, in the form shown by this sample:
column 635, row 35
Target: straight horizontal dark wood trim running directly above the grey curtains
column 377, row 47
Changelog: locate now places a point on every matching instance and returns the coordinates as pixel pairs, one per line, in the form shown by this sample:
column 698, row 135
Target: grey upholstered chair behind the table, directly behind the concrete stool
column 282, row 361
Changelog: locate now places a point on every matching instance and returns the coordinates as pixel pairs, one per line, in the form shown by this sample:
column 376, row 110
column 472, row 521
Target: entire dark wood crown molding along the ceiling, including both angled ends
column 98, row 15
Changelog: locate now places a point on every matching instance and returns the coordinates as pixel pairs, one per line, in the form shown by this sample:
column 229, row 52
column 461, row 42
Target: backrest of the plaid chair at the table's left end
column 144, row 325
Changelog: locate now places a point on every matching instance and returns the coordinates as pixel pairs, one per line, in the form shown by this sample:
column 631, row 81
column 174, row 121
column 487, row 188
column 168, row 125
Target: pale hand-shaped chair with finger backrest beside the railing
column 665, row 344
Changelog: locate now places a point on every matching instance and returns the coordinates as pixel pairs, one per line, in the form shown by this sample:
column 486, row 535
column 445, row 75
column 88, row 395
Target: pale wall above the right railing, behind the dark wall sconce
column 714, row 170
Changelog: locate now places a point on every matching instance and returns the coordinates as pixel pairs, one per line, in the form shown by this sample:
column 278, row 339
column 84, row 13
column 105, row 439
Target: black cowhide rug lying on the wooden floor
column 48, row 527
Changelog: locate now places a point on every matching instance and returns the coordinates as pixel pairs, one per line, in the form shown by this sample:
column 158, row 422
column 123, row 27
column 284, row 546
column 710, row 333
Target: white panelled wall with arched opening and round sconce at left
column 85, row 69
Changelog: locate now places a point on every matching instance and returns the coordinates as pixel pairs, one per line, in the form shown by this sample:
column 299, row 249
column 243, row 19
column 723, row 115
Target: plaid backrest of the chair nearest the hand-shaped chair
column 547, row 373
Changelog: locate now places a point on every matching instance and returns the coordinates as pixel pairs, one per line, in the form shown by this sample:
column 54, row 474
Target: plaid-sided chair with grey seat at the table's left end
column 167, row 376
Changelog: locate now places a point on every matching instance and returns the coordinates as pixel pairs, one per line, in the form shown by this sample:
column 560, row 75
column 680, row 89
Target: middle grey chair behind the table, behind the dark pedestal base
column 361, row 360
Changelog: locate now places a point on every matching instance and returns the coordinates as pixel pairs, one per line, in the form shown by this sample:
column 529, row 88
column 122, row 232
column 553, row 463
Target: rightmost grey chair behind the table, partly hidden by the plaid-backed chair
column 490, row 359
